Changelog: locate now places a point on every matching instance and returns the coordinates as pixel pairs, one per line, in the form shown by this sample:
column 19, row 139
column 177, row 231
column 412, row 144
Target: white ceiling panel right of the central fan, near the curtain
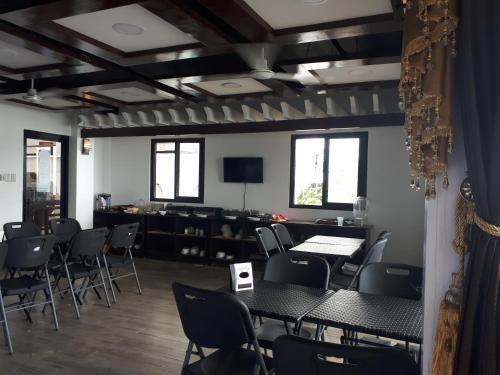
column 364, row 73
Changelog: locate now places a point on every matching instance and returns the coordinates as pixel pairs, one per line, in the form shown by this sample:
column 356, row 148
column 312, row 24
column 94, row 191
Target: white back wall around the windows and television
column 393, row 205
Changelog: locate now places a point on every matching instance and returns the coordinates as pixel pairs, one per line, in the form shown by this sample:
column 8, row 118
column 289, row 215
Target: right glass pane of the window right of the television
column 343, row 170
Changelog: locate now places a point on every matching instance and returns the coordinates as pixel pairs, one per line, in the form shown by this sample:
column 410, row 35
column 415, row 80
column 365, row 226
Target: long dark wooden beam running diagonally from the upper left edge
column 87, row 57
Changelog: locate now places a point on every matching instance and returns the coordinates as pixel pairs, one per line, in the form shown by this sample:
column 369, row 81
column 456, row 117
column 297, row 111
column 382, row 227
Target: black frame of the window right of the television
column 362, row 169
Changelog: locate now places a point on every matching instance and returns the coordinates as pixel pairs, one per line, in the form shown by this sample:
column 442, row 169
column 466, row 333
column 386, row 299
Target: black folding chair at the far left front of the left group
column 27, row 253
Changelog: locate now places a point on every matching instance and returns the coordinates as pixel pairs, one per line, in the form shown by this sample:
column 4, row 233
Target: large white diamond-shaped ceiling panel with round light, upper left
column 128, row 28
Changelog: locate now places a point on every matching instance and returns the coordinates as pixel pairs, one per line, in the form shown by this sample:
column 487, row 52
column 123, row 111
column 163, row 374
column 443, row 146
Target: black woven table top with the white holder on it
column 286, row 302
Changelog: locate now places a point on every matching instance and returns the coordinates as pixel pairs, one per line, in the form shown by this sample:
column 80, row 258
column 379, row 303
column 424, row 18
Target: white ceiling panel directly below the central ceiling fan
column 234, row 86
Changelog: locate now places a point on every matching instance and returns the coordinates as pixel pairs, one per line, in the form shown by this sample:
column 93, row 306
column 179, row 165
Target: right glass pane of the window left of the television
column 189, row 169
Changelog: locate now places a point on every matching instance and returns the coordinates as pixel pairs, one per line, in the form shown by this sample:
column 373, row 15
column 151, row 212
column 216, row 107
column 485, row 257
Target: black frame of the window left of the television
column 201, row 178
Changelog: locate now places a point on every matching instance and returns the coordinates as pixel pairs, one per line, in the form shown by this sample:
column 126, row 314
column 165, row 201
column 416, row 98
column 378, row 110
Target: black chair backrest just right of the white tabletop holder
column 295, row 268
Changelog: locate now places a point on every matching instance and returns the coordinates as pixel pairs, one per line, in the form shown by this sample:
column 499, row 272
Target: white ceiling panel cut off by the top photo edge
column 281, row 14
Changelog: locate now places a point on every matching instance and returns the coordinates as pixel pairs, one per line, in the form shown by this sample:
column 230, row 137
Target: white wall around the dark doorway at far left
column 14, row 119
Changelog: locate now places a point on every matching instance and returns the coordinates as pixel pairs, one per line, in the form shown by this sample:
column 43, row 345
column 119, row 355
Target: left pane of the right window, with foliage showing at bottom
column 308, row 179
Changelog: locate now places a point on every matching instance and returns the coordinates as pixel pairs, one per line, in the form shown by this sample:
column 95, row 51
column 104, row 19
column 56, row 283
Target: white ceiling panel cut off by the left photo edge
column 15, row 57
